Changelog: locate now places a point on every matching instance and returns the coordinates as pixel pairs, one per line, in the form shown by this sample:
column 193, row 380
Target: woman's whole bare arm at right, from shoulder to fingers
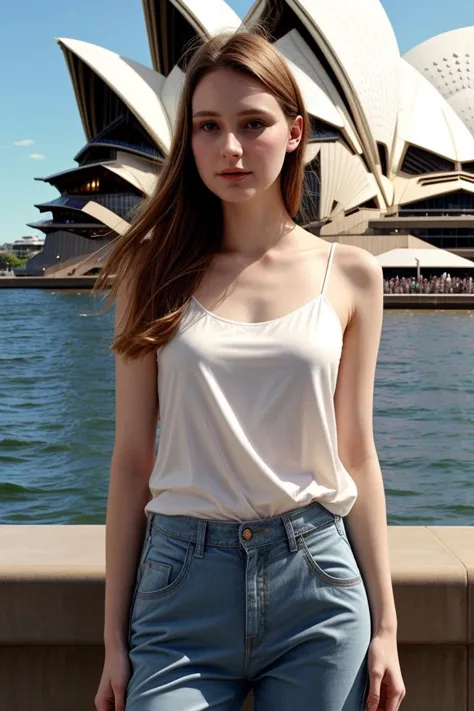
column 366, row 523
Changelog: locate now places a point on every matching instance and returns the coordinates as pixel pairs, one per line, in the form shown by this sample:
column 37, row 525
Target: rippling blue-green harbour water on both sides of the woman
column 57, row 411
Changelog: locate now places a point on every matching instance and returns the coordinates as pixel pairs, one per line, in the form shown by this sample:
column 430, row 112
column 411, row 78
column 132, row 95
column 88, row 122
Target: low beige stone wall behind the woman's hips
column 51, row 616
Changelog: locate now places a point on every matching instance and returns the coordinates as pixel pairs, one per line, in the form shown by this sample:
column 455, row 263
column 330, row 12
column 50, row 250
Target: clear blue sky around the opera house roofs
column 37, row 105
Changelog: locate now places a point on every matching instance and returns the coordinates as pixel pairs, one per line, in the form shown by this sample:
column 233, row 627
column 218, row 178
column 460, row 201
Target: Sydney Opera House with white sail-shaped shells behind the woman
column 390, row 163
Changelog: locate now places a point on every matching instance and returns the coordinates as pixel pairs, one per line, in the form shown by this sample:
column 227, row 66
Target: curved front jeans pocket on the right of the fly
column 330, row 557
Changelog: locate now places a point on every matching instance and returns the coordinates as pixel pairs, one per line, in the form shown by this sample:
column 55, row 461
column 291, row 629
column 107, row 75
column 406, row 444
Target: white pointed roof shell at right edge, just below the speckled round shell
column 426, row 120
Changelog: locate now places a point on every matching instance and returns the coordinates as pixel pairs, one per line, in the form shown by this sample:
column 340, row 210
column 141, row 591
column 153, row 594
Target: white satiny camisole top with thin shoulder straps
column 248, row 426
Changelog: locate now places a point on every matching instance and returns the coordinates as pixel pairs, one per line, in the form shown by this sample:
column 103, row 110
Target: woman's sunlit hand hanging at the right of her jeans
column 387, row 689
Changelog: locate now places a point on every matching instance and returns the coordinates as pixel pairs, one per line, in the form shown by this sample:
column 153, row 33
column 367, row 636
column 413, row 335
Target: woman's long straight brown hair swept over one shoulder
column 163, row 255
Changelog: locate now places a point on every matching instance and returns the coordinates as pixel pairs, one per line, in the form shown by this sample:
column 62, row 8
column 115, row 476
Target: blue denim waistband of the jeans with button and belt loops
column 248, row 534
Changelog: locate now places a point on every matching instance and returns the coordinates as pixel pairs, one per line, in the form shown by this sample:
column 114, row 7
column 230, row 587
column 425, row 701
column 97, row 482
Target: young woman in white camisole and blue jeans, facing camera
column 255, row 343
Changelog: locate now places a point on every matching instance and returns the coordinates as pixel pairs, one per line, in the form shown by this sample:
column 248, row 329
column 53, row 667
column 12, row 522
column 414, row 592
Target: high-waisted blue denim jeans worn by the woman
column 276, row 605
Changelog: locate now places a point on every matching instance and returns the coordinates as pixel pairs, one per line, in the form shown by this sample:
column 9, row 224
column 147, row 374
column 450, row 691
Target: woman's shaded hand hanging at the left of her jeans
column 113, row 684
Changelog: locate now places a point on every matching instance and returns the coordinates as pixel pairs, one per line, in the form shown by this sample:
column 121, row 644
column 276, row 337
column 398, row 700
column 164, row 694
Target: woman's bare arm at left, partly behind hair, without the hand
column 133, row 458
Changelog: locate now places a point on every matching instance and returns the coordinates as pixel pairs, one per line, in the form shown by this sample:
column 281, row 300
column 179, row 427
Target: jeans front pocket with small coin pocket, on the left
column 165, row 567
